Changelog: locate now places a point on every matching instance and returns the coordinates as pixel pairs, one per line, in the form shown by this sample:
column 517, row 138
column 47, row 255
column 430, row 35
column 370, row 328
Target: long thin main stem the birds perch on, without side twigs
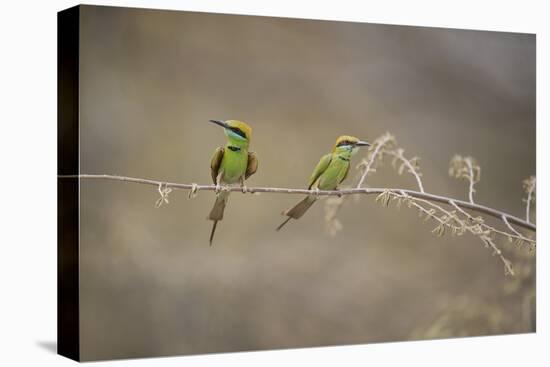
column 366, row 191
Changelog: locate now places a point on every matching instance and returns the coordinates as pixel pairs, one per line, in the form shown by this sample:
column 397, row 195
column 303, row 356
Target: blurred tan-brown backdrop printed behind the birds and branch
column 150, row 80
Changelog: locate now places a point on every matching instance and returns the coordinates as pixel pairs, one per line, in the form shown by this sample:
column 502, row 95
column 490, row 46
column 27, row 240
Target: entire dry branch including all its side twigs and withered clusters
column 451, row 216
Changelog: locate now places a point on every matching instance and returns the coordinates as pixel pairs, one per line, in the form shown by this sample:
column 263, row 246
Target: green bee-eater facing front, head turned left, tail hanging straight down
column 231, row 164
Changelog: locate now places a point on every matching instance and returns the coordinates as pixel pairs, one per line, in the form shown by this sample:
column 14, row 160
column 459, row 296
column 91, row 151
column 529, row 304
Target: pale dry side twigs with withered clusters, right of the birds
column 457, row 217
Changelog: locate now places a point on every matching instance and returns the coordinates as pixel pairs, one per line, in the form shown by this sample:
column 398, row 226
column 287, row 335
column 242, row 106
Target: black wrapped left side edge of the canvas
column 67, row 189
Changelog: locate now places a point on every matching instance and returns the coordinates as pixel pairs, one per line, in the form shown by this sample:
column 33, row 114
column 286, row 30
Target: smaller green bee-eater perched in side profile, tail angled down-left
column 331, row 170
